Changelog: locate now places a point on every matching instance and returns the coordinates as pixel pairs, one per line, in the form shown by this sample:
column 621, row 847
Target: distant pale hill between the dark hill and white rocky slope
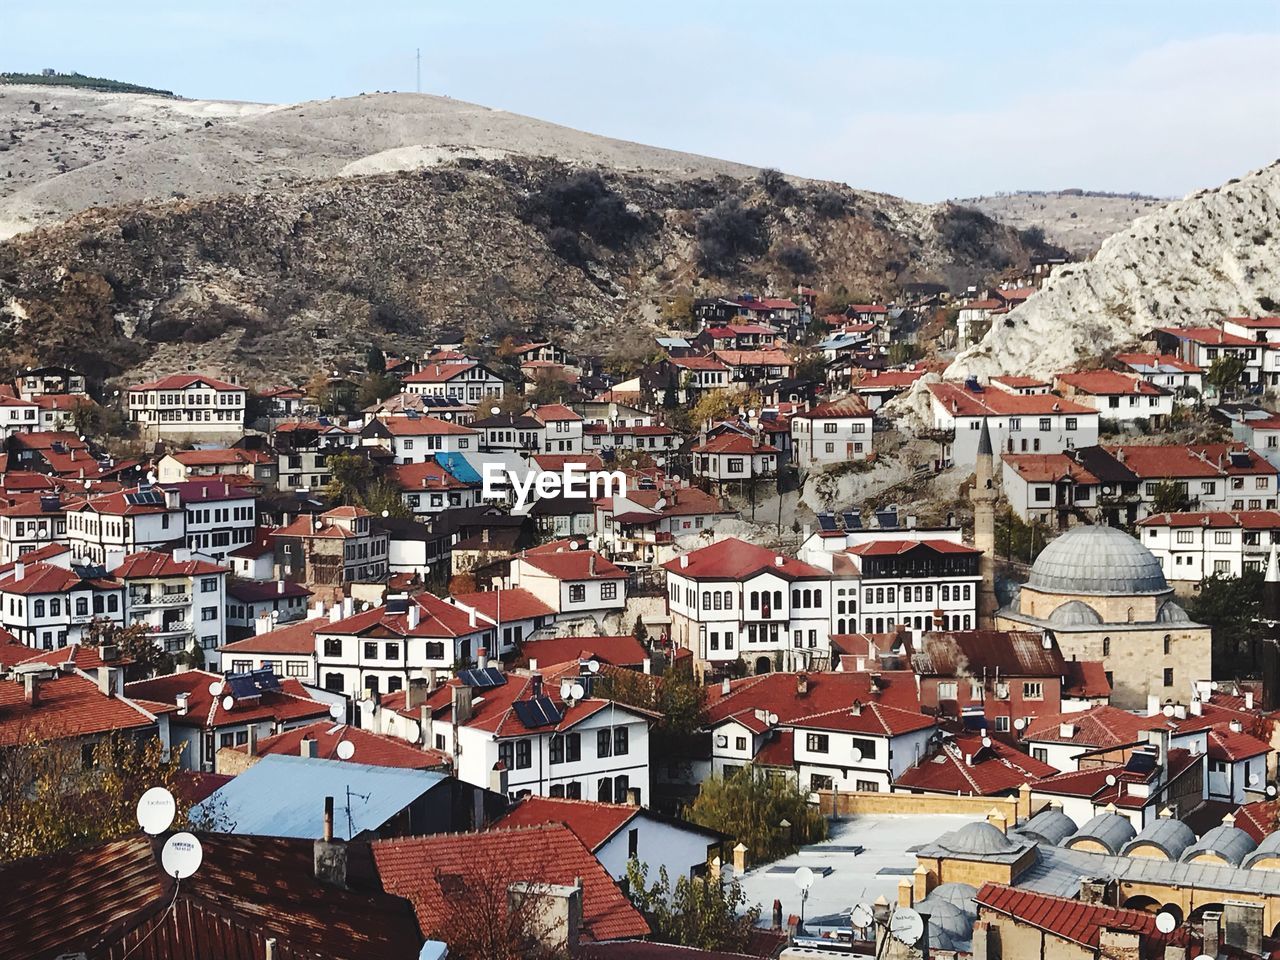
column 1077, row 221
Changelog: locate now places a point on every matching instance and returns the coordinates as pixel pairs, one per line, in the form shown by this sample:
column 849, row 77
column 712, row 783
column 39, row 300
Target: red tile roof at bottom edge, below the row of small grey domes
column 1072, row 920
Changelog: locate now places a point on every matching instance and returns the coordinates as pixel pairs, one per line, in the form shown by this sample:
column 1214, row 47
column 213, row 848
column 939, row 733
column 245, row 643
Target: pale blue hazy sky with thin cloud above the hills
column 924, row 99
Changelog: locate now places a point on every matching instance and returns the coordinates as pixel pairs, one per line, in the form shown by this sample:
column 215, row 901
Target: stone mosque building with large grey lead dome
column 1104, row 597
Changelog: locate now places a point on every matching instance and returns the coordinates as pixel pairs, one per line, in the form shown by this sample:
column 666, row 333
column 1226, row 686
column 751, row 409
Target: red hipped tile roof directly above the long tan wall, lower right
column 971, row 769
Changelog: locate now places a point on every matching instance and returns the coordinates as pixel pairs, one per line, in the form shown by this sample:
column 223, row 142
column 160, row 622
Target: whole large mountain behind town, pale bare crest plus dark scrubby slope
column 276, row 243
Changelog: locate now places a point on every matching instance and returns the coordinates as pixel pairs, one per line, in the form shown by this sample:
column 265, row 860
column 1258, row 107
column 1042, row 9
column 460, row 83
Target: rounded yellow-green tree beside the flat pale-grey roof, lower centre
column 753, row 807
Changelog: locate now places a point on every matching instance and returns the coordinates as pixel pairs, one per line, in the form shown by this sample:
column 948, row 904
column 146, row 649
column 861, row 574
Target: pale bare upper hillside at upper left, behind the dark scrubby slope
column 205, row 149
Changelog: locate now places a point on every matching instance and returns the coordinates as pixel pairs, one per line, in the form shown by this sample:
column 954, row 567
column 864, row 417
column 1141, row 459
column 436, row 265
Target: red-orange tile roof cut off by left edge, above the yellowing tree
column 70, row 706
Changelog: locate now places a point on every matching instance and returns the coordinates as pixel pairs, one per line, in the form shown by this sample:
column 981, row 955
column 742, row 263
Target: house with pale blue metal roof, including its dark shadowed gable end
column 280, row 796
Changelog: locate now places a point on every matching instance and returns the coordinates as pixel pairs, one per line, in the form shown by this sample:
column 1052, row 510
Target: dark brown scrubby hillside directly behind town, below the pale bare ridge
column 276, row 284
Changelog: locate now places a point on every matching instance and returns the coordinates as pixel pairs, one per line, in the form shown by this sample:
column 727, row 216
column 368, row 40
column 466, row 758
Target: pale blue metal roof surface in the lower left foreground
column 284, row 797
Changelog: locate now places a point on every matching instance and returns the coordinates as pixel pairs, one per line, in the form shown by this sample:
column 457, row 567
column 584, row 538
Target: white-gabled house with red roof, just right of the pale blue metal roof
column 619, row 834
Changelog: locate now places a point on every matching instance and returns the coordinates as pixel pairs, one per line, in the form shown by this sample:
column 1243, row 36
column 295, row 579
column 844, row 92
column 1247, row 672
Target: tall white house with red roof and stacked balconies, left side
column 181, row 601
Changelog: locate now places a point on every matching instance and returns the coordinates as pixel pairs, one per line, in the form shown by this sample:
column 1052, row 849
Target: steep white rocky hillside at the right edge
column 1214, row 254
